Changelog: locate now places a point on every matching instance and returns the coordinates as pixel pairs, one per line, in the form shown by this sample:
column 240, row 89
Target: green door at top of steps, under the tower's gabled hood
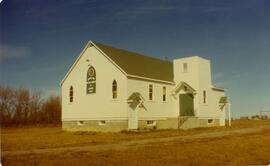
column 186, row 105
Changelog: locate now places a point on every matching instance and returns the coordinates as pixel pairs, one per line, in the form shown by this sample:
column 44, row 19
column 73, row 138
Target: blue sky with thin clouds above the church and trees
column 41, row 39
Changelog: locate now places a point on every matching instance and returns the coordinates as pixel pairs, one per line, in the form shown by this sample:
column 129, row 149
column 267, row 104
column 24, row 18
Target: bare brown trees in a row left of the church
column 22, row 107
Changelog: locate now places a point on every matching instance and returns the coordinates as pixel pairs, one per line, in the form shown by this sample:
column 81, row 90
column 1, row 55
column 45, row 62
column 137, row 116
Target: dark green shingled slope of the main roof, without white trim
column 139, row 65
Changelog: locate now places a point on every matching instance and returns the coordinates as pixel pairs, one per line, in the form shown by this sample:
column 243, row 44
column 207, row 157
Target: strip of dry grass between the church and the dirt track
column 46, row 137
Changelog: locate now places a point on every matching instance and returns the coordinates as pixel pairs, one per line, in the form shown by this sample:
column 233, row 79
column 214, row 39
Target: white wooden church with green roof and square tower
column 111, row 89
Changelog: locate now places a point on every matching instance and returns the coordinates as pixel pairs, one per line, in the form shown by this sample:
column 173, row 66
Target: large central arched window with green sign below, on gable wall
column 91, row 80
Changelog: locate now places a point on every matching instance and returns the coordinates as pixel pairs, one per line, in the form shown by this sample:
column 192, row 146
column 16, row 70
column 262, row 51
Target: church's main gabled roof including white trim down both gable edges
column 132, row 64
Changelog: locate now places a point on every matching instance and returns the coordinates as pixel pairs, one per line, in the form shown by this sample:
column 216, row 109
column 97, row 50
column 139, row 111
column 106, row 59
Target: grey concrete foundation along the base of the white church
column 120, row 125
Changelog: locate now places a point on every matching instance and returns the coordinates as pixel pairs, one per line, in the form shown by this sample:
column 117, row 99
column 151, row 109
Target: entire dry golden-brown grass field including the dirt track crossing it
column 244, row 145
